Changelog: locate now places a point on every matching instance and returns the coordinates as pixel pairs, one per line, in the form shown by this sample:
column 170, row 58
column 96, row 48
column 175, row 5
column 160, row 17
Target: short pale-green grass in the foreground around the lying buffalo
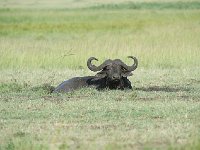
column 162, row 112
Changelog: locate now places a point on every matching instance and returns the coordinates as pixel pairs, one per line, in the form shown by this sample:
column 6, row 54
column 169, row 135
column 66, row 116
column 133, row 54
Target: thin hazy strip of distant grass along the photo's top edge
column 78, row 4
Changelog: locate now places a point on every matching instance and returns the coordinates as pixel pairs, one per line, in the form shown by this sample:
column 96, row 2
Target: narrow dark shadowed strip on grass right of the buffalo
column 162, row 89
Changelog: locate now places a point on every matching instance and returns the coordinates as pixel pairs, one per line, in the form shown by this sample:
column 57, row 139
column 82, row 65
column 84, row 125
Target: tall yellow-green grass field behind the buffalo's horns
column 58, row 38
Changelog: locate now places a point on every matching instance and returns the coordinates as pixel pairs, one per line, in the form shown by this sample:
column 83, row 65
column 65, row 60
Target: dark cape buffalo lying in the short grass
column 112, row 75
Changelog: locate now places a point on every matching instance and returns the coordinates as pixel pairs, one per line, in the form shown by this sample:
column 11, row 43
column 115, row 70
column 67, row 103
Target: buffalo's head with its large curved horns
column 113, row 70
